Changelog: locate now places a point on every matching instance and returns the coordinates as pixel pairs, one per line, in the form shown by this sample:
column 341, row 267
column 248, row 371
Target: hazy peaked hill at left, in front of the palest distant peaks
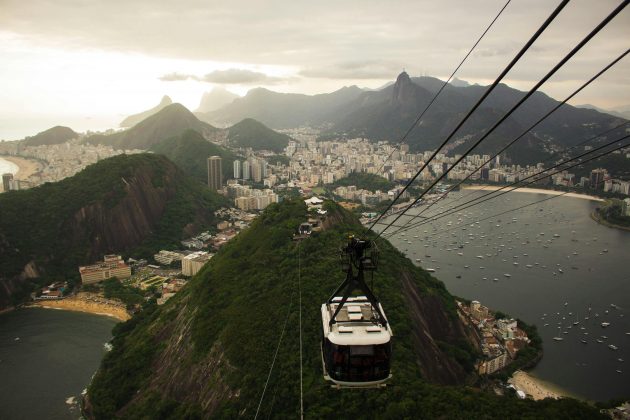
column 169, row 122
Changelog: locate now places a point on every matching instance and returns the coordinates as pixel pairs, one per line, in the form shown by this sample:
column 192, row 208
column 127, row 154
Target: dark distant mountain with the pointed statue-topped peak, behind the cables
column 387, row 114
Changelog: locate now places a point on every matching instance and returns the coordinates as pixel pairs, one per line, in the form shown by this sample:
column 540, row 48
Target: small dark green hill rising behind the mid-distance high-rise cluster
column 251, row 133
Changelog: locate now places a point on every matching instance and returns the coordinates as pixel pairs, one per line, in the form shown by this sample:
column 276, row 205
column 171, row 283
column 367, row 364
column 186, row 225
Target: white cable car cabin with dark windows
column 356, row 348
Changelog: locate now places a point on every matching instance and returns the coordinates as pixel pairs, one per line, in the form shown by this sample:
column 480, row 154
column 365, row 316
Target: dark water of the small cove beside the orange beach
column 47, row 358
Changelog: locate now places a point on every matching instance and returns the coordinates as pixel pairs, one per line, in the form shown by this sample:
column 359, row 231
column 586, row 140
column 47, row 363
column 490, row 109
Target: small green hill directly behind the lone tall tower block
column 190, row 151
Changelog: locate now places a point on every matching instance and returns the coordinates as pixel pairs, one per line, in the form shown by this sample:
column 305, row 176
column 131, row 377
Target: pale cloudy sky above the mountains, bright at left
column 88, row 63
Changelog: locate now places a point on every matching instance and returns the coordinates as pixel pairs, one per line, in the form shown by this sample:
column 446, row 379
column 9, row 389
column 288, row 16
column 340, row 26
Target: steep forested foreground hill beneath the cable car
column 206, row 353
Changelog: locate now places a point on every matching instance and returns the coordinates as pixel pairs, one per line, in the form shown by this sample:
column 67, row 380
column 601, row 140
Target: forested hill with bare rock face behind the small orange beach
column 114, row 206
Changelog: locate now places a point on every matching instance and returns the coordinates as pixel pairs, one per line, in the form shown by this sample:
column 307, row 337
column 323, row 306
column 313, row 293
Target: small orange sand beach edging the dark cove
column 90, row 303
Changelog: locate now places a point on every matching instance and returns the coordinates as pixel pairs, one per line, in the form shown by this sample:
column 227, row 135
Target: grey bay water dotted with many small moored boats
column 548, row 264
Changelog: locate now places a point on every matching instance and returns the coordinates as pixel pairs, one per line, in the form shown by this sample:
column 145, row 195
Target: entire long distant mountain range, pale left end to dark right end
column 386, row 114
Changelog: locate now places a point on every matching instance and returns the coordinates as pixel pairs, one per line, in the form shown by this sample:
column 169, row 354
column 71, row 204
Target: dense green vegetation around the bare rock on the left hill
column 41, row 224
